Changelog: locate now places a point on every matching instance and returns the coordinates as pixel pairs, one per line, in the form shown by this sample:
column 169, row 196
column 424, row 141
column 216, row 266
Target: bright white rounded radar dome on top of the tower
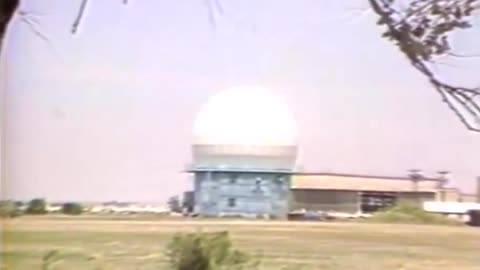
column 246, row 116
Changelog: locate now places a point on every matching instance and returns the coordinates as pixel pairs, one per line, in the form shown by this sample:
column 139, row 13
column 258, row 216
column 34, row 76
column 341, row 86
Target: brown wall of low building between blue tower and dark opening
column 325, row 200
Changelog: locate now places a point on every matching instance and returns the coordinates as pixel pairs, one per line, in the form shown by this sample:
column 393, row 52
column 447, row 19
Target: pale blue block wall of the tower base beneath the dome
column 219, row 193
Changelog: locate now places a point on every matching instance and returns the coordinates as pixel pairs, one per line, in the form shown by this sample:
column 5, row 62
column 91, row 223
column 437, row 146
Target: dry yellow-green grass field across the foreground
column 135, row 244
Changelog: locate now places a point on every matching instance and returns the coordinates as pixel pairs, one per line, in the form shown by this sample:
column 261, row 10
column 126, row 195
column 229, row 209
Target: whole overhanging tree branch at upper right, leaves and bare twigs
column 421, row 31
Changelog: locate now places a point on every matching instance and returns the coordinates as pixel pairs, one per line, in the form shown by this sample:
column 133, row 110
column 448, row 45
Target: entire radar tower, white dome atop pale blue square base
column 243, row 154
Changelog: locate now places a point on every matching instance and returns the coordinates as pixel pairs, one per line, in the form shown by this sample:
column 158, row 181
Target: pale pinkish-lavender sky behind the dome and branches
column 107, row 114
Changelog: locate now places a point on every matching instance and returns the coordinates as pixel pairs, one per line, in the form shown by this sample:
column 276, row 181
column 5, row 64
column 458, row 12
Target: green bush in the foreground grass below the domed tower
column 206, row 251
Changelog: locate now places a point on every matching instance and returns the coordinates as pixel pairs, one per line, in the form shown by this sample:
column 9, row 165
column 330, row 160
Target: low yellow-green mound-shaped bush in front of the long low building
column 411, row 214
